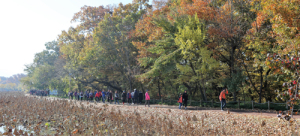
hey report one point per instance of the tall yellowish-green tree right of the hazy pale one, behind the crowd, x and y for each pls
(109, 59)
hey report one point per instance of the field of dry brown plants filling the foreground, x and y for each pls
(44, 116)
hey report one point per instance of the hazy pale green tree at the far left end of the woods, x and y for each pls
(46, 72)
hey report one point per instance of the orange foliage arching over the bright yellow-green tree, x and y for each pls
(221, 24)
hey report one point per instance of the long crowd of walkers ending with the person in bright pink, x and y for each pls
(133, 97)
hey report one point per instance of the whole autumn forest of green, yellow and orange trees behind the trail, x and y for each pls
(168, 46)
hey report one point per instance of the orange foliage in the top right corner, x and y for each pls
(284, 14)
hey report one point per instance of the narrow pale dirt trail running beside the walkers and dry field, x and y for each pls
(232, 111)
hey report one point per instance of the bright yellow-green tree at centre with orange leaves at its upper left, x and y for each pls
(169, 51)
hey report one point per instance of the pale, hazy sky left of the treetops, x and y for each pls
(26, 25)
